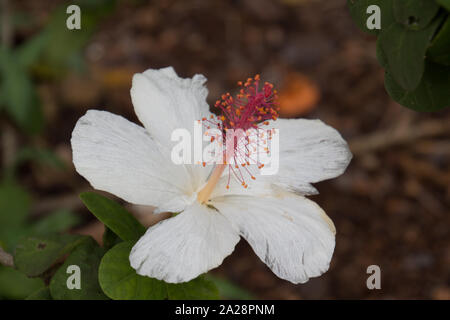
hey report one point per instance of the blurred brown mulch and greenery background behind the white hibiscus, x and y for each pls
(391, 207)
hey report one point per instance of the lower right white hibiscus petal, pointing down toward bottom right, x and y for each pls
(291, 234)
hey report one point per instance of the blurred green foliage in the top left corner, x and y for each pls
(48, 55)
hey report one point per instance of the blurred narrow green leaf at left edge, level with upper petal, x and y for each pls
(20, 98)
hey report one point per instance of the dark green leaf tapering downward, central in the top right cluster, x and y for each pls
(405, 52)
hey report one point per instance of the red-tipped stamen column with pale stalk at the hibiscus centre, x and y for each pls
(240, 125)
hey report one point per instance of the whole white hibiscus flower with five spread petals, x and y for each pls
(291, 234)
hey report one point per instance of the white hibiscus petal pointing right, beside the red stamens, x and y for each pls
(309, 152)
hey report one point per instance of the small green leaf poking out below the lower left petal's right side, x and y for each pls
(197, 289)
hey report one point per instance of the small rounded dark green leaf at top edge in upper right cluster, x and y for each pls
(415, 14)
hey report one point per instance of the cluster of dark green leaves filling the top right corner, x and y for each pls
(414, 48)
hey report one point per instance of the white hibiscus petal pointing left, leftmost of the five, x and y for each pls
(119, 157)
